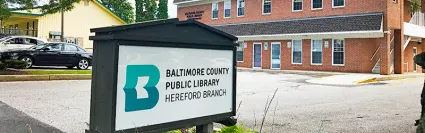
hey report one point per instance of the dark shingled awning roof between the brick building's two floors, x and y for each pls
(347, 23)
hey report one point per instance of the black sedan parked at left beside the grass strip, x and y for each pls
(51, 54)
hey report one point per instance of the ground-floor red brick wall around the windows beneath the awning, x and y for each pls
(358, 53)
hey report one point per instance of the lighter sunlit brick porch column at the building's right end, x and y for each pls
(385, 55)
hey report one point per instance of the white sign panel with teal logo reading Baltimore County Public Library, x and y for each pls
(155, 84)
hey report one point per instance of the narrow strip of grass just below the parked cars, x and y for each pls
(44, 72)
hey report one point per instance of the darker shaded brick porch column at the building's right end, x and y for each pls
(398, 51)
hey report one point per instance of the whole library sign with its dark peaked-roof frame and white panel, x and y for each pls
(162, 75)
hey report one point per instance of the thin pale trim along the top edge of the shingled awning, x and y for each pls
(299, 19)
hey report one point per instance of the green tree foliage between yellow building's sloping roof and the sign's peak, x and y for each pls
(122, 8)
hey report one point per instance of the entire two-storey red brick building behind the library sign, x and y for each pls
(367, 36)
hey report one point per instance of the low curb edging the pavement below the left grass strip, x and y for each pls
(9, 78)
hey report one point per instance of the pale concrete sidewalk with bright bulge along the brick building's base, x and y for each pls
(338, 78)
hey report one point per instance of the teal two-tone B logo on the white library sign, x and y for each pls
(132, 75)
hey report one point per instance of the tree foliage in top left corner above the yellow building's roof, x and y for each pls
(53, 6)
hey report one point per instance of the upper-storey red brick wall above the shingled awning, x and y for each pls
(282, 9)
